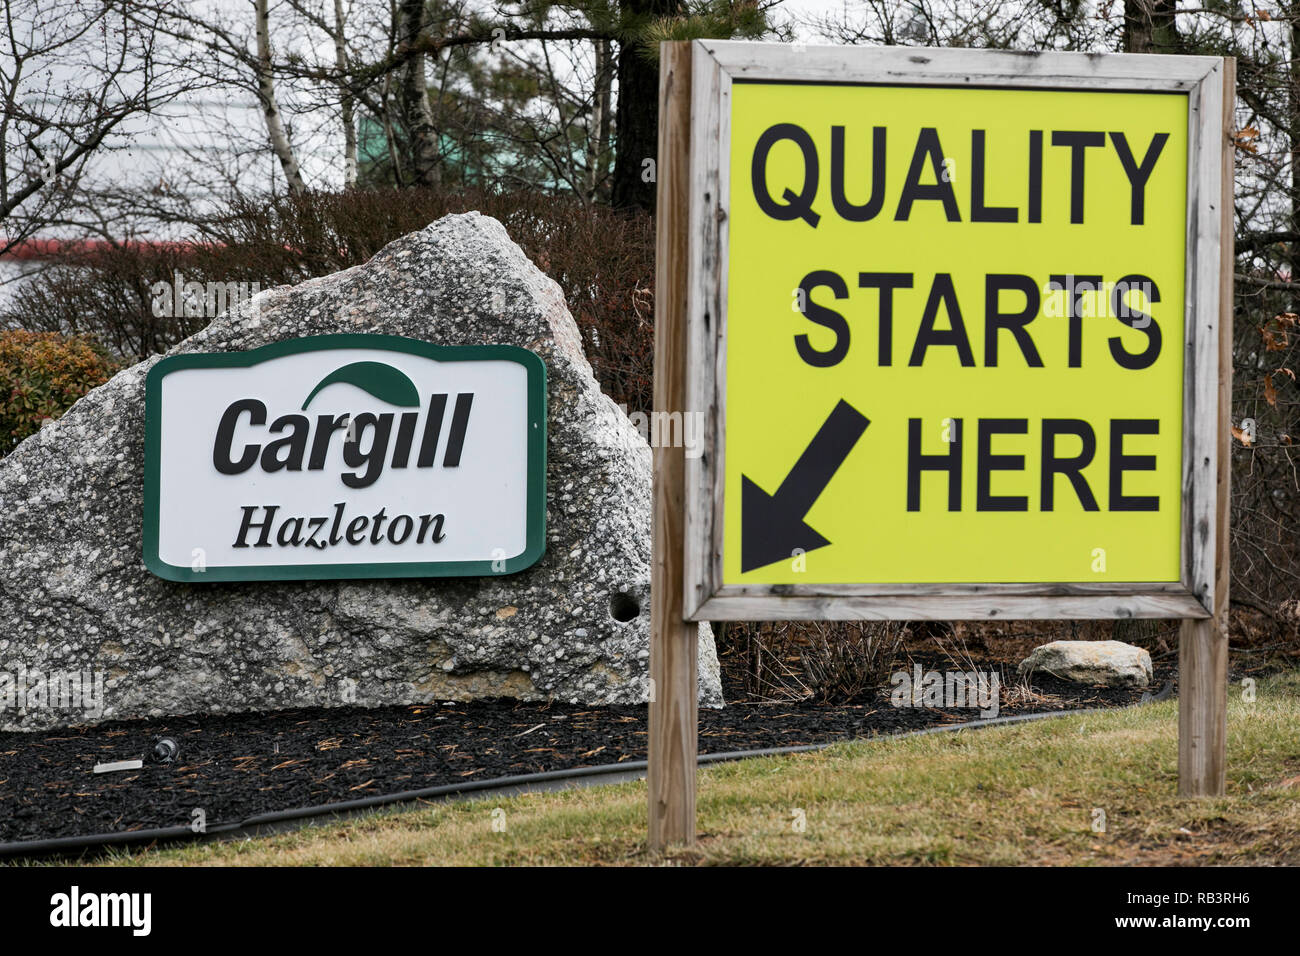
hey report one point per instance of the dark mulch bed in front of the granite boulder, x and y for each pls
(235, 767)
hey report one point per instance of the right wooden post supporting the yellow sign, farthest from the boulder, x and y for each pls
(1203, 644)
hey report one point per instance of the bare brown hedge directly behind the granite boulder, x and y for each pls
(603, 261)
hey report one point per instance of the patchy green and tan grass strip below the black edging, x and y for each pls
(1022, 794)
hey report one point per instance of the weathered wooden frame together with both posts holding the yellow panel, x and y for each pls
(691, 323)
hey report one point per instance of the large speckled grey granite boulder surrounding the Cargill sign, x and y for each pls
(80, 611)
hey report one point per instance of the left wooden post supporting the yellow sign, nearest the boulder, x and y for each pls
(674, 703)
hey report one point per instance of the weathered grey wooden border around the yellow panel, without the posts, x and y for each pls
(720, 64)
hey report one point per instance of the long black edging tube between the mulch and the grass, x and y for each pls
(501, 786)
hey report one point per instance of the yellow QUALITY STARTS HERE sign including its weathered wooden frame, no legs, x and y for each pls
(955, 331)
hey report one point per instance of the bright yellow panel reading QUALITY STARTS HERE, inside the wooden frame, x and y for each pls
(955, 343)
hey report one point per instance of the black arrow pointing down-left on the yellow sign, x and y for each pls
(772, 526)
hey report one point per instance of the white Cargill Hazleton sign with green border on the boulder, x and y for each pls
(345, 457)
